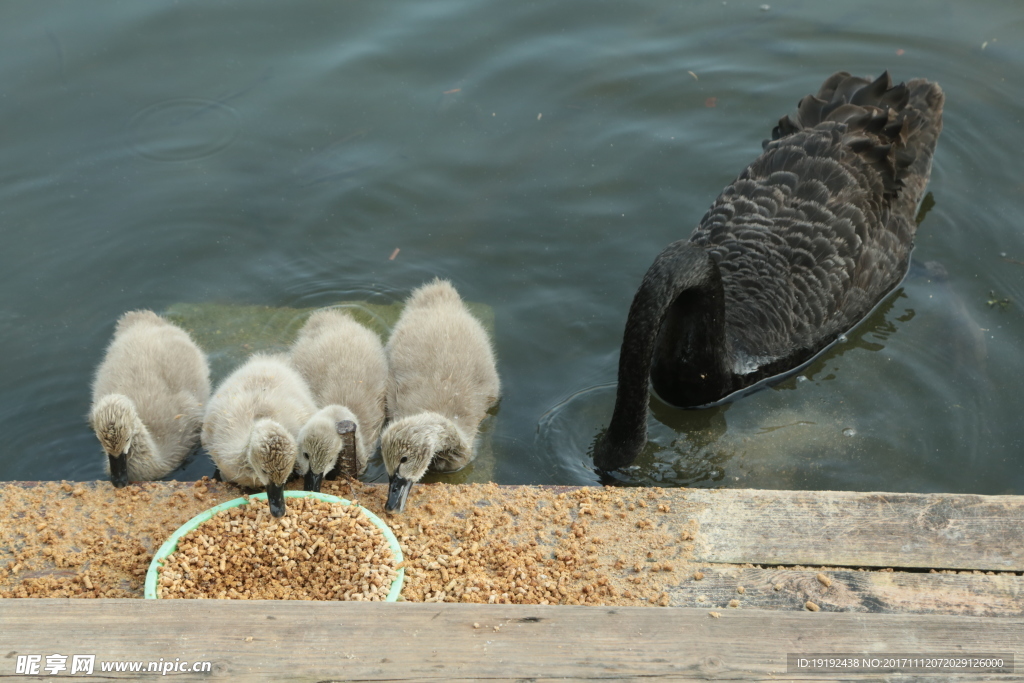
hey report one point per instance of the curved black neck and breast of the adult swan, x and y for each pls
(675, 336)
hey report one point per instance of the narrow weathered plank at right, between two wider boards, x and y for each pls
(844, 590)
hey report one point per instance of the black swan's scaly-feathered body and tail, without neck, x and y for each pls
(821, 227)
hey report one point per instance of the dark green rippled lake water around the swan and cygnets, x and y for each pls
(539, 155)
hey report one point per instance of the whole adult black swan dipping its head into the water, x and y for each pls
(797, 251)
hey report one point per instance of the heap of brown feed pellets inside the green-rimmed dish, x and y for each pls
(320, 551)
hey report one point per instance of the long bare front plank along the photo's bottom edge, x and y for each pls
(310, 642)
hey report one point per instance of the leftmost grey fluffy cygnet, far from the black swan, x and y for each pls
(148, 398)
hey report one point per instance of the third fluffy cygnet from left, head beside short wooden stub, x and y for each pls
(345, 365)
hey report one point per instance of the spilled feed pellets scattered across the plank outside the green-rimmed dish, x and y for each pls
(468, 543)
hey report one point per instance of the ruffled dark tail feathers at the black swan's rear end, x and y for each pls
(893, 129)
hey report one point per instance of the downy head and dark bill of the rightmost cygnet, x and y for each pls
(408, 448)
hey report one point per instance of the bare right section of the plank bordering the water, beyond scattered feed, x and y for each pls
(857, 530)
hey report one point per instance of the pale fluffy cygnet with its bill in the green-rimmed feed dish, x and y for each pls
(253, 422)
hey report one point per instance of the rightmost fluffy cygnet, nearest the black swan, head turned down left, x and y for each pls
(443, 380)
